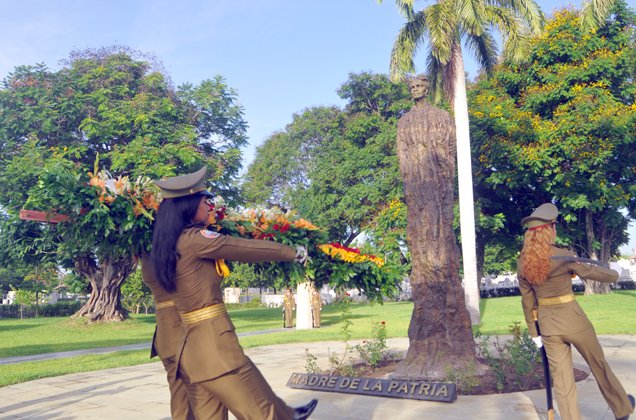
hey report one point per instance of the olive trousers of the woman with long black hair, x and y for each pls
(244, 392)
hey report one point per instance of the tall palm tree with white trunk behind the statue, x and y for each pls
(443, 26)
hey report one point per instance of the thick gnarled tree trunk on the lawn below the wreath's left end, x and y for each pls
(106, 278)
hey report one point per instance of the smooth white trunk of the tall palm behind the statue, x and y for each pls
(465, 187)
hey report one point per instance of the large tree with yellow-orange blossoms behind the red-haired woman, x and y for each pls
(562, 128)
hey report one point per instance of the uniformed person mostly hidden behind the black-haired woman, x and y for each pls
(164, 344)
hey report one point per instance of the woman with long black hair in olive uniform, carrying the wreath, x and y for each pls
(184, 255)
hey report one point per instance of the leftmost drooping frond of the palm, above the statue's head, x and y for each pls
(408, 40)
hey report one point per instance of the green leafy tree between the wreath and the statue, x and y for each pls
(336, 167)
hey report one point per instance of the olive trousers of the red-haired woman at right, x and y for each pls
(559, 351)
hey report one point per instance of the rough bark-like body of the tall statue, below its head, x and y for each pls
(440, 335)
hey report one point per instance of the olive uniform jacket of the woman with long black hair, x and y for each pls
(210, 348)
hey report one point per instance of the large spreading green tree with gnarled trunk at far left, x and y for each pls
(116, 107)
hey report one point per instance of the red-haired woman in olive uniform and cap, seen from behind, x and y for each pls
(545, 282)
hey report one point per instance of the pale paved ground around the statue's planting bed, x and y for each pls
(141, 392)
